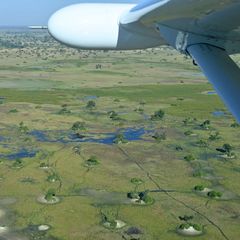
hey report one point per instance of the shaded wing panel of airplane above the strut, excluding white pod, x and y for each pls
(212, 18)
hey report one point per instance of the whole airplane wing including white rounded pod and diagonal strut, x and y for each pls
(207, 30)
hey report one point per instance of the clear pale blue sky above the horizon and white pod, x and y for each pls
(34, 12)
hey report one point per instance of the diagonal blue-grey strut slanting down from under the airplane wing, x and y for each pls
(221, 71)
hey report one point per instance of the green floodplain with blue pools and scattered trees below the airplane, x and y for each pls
(112, 145)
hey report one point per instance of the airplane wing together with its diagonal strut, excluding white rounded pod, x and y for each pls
(208, 30)
